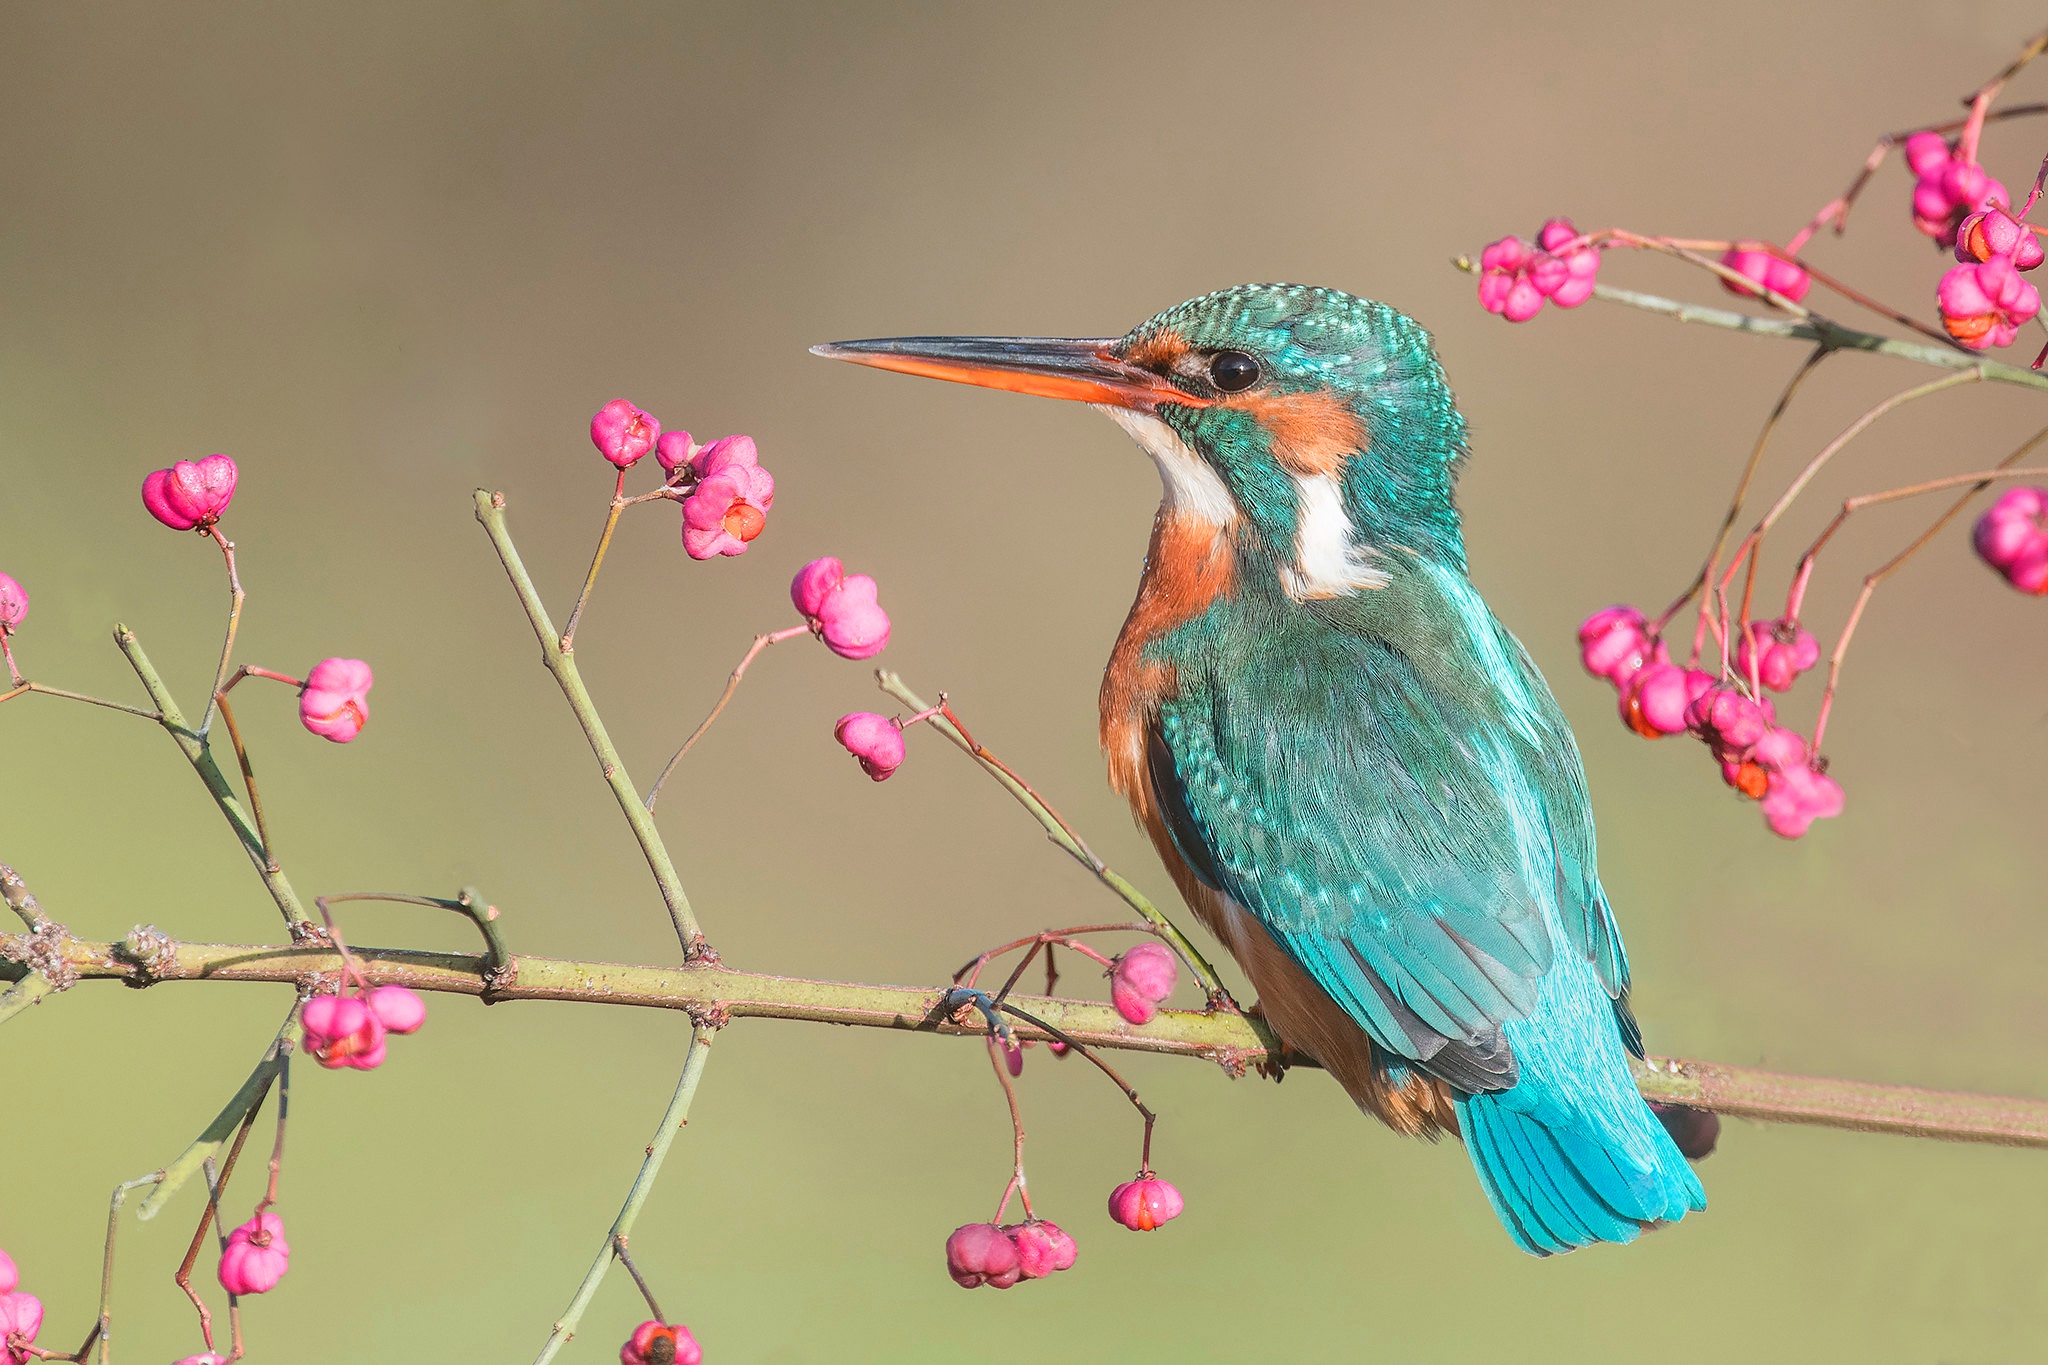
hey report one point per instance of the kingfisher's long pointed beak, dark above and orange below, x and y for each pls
(1050, 367)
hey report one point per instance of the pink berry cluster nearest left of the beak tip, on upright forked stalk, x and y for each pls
(724, 490)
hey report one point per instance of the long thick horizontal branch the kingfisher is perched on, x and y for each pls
(716, 994)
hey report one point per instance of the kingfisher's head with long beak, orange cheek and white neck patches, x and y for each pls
(1312, 425)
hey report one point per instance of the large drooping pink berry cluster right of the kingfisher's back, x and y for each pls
(1734, 719)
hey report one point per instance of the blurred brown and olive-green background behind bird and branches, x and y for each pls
(386, 255)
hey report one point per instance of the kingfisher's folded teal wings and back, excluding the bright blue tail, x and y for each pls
(1398, 822)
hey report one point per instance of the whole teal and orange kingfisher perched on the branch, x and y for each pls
(1355, 775)
